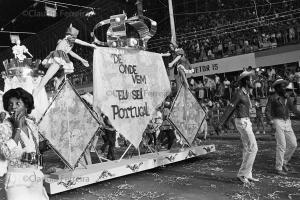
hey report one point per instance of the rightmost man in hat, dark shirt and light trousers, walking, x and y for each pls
(278, 111)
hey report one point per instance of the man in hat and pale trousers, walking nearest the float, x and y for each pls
(241, 104)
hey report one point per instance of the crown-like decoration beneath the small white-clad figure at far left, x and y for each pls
(14, 67)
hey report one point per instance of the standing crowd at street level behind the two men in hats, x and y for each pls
(214, 93)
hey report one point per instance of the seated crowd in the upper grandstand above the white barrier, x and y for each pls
(236, 28)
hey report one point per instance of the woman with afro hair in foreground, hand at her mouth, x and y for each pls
(19, 148)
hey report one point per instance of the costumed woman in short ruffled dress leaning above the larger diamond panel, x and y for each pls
(59, 59)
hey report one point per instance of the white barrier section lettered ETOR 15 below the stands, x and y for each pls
(229, 64)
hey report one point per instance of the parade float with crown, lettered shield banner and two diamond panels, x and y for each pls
(129, 84)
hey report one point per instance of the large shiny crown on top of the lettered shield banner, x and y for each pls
(118, 32)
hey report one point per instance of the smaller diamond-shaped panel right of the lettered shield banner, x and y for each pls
(186, 114)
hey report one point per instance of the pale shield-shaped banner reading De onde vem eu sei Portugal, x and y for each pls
(128, 85)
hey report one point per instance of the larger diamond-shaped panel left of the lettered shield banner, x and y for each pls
(68, 125)
